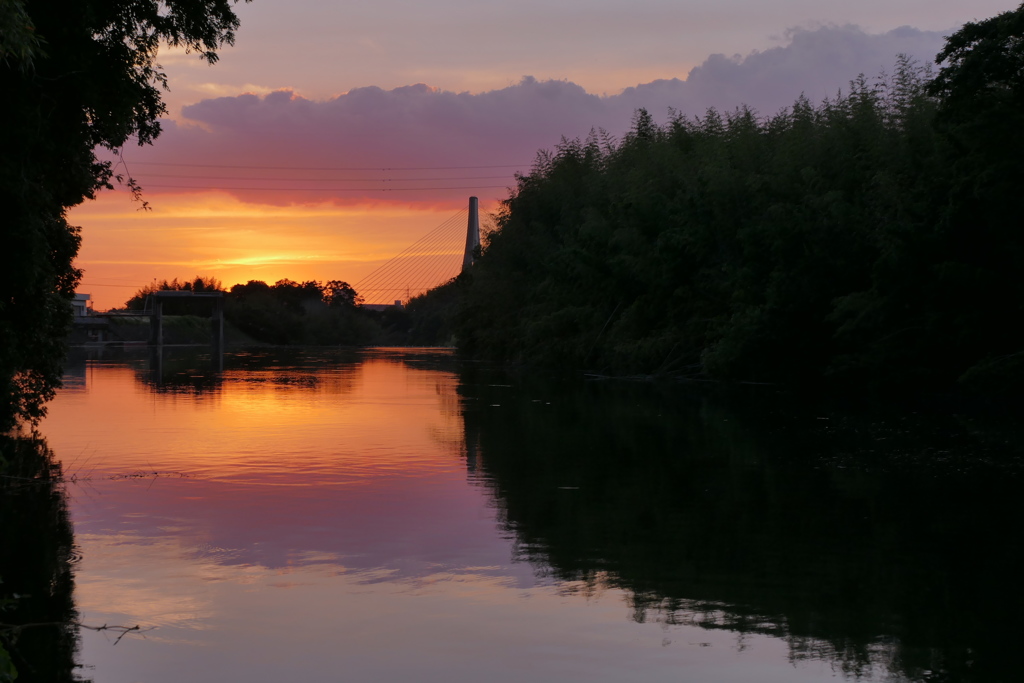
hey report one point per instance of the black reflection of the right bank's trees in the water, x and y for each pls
(848, 548)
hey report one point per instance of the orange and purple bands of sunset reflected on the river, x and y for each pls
(355, 455)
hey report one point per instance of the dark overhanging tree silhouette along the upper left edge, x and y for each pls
(76, 76)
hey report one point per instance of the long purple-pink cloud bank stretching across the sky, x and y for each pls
(405, 144)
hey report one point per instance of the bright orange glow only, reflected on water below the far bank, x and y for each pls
(276, 425)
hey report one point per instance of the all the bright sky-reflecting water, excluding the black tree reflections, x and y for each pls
(327, 525)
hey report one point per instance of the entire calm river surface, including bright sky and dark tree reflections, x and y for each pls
(394, 516)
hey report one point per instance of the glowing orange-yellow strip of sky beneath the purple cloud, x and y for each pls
(221, 236)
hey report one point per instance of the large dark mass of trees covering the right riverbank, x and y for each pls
(873, 239)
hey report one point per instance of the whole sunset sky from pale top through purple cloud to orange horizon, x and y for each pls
(333, 136)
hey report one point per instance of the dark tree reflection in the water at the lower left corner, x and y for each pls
(36, 556)
